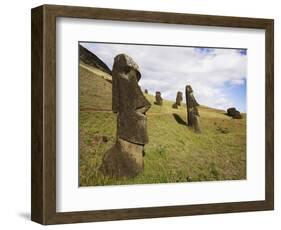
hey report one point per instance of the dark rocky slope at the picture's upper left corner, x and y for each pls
(89, 58)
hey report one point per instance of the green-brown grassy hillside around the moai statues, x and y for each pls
(174, 153)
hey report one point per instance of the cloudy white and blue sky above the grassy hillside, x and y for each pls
(218, 76)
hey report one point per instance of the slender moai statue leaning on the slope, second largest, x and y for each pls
(192, 110)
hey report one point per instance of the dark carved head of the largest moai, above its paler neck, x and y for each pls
(128, 101)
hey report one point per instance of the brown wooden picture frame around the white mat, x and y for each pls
(43, 207)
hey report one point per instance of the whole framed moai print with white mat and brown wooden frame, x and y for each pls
(140, 114)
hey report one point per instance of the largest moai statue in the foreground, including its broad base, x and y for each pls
(125, 158)
